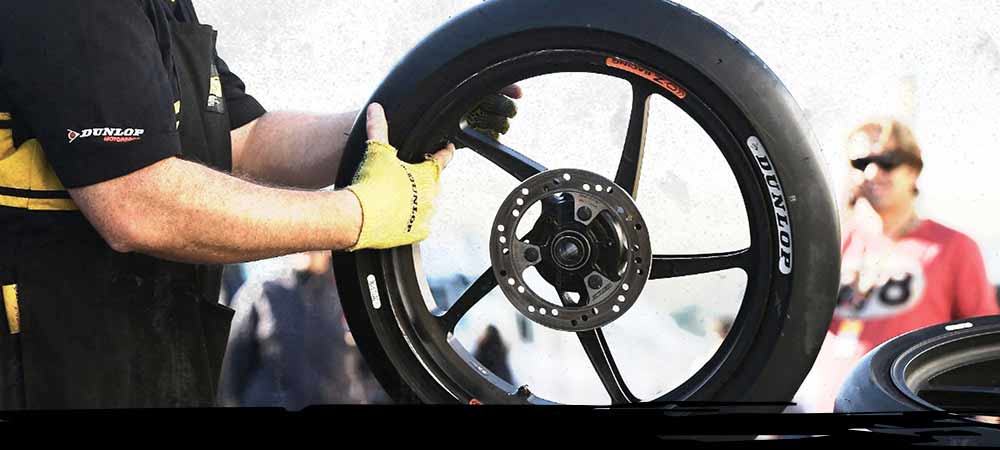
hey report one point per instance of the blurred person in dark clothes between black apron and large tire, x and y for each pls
(290, 346)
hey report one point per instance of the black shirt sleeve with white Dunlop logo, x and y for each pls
(90, 80)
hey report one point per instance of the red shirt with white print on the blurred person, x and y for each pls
(933, 274)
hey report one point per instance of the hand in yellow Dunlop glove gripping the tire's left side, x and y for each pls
(396, 197)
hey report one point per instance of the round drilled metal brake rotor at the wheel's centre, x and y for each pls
(590, 243)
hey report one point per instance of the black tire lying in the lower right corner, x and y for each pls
(953, 367)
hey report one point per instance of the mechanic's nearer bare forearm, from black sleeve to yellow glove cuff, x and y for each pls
(182, 211)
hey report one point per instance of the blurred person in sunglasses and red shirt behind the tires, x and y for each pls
(899, 271)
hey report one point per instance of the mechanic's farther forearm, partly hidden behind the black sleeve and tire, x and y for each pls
(292, 148)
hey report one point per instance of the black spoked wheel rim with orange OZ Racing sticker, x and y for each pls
(463, 379)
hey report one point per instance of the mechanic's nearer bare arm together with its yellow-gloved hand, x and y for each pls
(182, 211)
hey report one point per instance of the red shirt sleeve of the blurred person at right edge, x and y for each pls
(974, 296)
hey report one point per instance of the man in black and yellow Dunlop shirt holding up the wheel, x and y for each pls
(120, 133)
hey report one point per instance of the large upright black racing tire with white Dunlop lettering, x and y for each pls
(775, 346)
